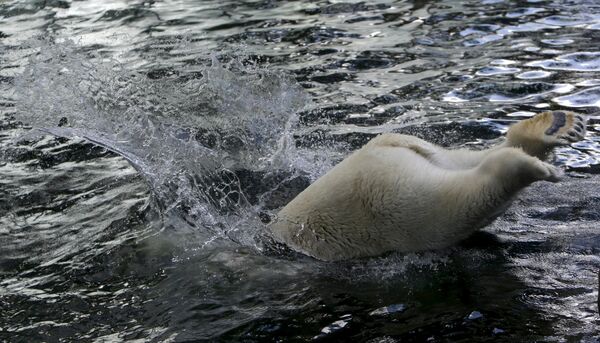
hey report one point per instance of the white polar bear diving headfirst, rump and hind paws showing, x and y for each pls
(401, 193)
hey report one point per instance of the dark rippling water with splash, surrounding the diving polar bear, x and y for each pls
(164, 133)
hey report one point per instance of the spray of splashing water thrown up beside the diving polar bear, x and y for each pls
(188, 135)
